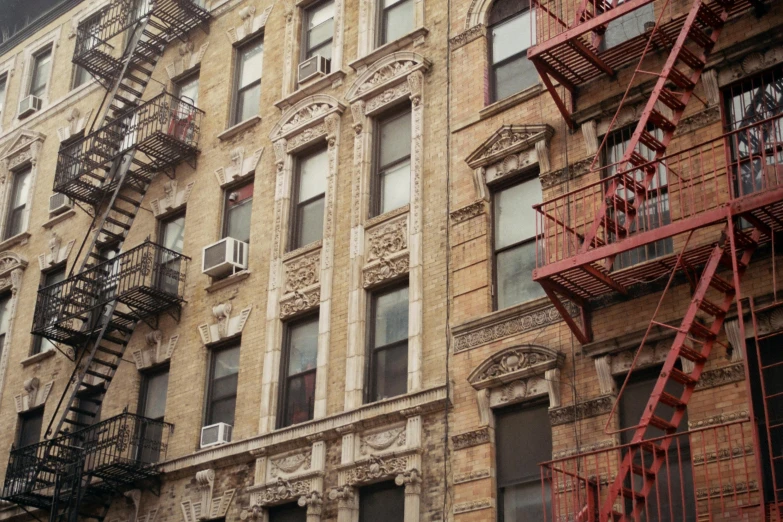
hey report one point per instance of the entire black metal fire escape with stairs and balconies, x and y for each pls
(82, 464)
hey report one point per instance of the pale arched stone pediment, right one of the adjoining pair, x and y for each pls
(387, 72)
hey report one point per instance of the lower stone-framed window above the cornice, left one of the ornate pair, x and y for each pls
(300, 354)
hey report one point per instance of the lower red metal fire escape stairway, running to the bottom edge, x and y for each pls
(636, 477)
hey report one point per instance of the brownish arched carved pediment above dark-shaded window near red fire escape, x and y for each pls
(514, 363)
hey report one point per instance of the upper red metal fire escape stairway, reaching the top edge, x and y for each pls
(627, 191)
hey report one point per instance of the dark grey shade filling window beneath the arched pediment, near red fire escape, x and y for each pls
(519, 448)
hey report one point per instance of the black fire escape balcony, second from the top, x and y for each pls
(165, 128)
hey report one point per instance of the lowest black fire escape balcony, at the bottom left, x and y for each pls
(119, 450)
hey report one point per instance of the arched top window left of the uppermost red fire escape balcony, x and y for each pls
(512, 31)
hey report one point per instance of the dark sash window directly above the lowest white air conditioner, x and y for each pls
(223, 377)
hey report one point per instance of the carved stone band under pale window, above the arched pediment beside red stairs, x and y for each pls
(468, 338)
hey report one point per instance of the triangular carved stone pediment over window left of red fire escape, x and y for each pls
(506, 141)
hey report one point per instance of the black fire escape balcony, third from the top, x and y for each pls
(148, 279)
